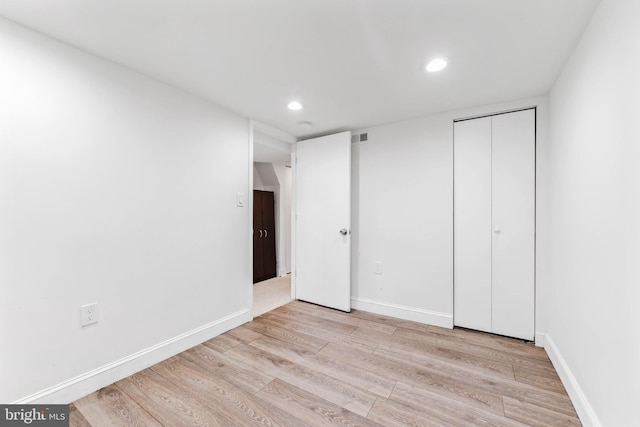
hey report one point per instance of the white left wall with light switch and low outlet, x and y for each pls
(114, 189)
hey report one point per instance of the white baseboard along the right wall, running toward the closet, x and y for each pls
(584, 409)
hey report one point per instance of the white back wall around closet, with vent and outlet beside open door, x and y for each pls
(402, 204)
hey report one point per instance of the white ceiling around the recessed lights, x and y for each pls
(352, 63)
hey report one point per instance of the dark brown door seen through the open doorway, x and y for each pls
(264, 236)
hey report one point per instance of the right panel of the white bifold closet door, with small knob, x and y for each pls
(513, 200)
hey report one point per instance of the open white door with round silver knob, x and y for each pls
(323, 221)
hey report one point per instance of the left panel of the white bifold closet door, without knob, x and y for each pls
(472, 224)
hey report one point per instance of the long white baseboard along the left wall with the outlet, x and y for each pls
(75, 388)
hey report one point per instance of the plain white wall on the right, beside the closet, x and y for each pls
(594, 309)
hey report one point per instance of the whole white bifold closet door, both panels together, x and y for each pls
(494, 224)
